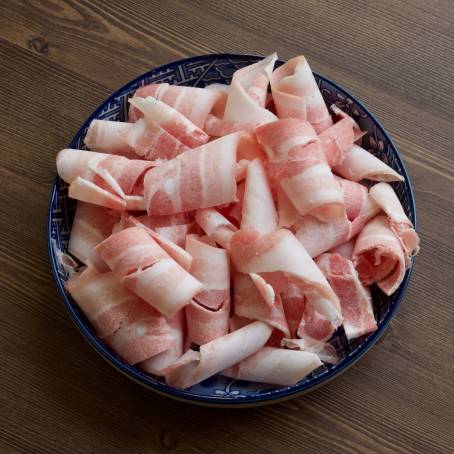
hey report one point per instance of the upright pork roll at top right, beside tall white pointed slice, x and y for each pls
(296, 94)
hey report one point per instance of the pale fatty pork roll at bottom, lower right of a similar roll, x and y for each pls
(276, 366)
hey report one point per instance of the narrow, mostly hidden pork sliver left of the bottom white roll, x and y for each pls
(156, 364)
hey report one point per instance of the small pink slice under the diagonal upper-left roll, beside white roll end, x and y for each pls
(151, 142)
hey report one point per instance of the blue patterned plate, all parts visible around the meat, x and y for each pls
(218, 390)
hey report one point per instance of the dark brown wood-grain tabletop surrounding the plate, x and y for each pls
(59, 60)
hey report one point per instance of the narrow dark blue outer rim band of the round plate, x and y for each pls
(273, 395)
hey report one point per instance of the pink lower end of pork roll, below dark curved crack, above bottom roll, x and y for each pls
(205, 325)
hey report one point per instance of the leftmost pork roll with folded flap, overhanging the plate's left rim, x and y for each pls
(101, 179)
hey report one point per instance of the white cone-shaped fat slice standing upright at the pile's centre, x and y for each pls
(259, 212)
